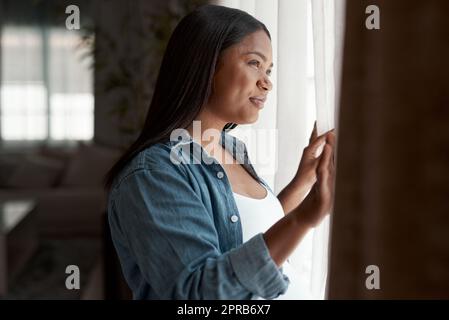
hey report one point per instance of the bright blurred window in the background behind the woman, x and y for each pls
(46, 86)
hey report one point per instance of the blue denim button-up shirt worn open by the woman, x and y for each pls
(176, 228)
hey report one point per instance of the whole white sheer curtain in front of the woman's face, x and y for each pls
(306, 38)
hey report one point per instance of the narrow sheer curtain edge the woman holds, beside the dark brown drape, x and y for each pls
(328, 24)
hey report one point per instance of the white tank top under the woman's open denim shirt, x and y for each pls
(258, 215)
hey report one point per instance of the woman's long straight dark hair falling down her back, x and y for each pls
(185, 77)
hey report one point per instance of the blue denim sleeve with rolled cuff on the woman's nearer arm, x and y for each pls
(166, 228)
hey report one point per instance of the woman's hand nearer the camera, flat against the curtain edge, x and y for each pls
(319, 201)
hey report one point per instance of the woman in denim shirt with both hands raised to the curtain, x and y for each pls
(179, 203)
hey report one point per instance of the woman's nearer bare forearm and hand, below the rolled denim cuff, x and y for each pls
(284, 236)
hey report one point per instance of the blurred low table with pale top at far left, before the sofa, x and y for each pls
(18, 238)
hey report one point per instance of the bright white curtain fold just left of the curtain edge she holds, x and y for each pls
(295, 112)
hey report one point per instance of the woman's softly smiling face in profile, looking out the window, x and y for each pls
(241, 81)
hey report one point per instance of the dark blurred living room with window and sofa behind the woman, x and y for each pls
(71, 100)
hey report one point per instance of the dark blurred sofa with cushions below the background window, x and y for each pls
(66, 184)
